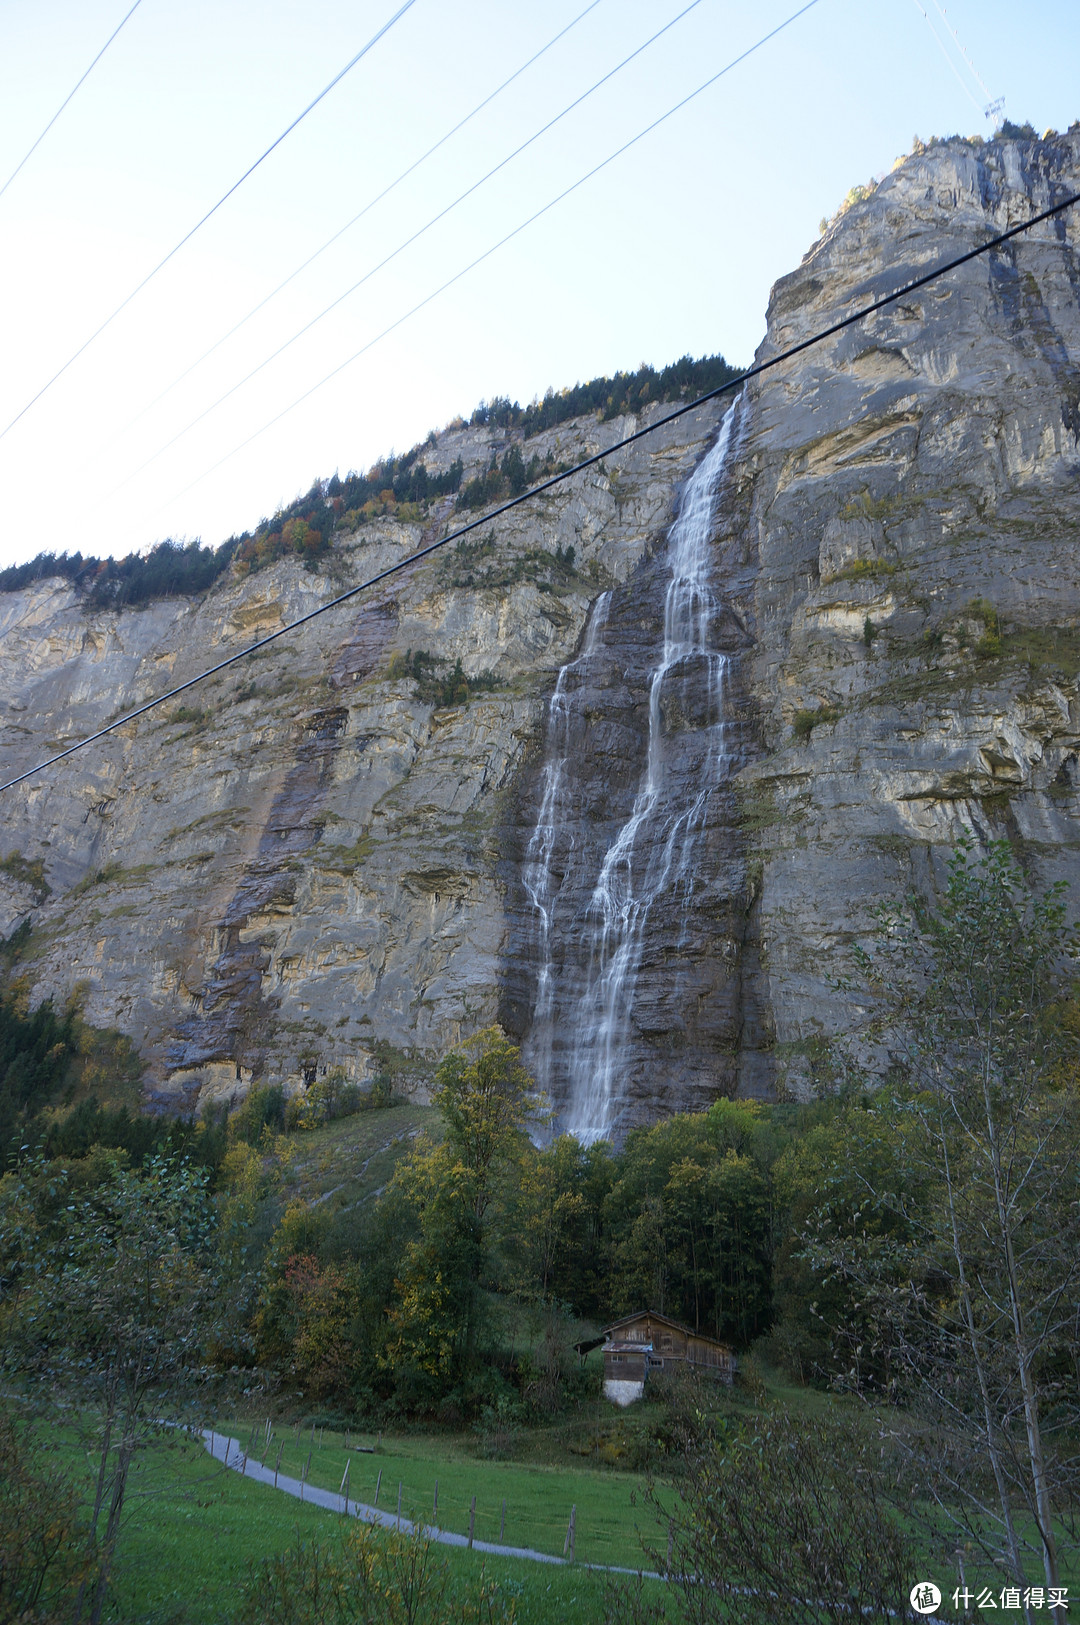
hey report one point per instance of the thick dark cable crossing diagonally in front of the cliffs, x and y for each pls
(556, 480)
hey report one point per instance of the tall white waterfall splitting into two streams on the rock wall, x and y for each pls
(589, 960)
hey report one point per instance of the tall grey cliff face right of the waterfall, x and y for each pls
(909, 526)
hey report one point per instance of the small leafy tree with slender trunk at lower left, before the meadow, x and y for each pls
(108, 1296)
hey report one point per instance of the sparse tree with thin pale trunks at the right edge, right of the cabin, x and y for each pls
(966, 1265)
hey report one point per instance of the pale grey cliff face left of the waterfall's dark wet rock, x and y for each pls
(303, 857)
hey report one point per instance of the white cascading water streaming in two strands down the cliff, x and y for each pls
(652, 854)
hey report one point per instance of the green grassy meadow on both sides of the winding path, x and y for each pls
(197, 1530)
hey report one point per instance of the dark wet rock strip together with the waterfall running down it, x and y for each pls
(628, 885)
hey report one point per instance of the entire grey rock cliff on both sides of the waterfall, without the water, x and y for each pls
(308, 857)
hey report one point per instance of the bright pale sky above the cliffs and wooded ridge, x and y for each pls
(670, 249)
